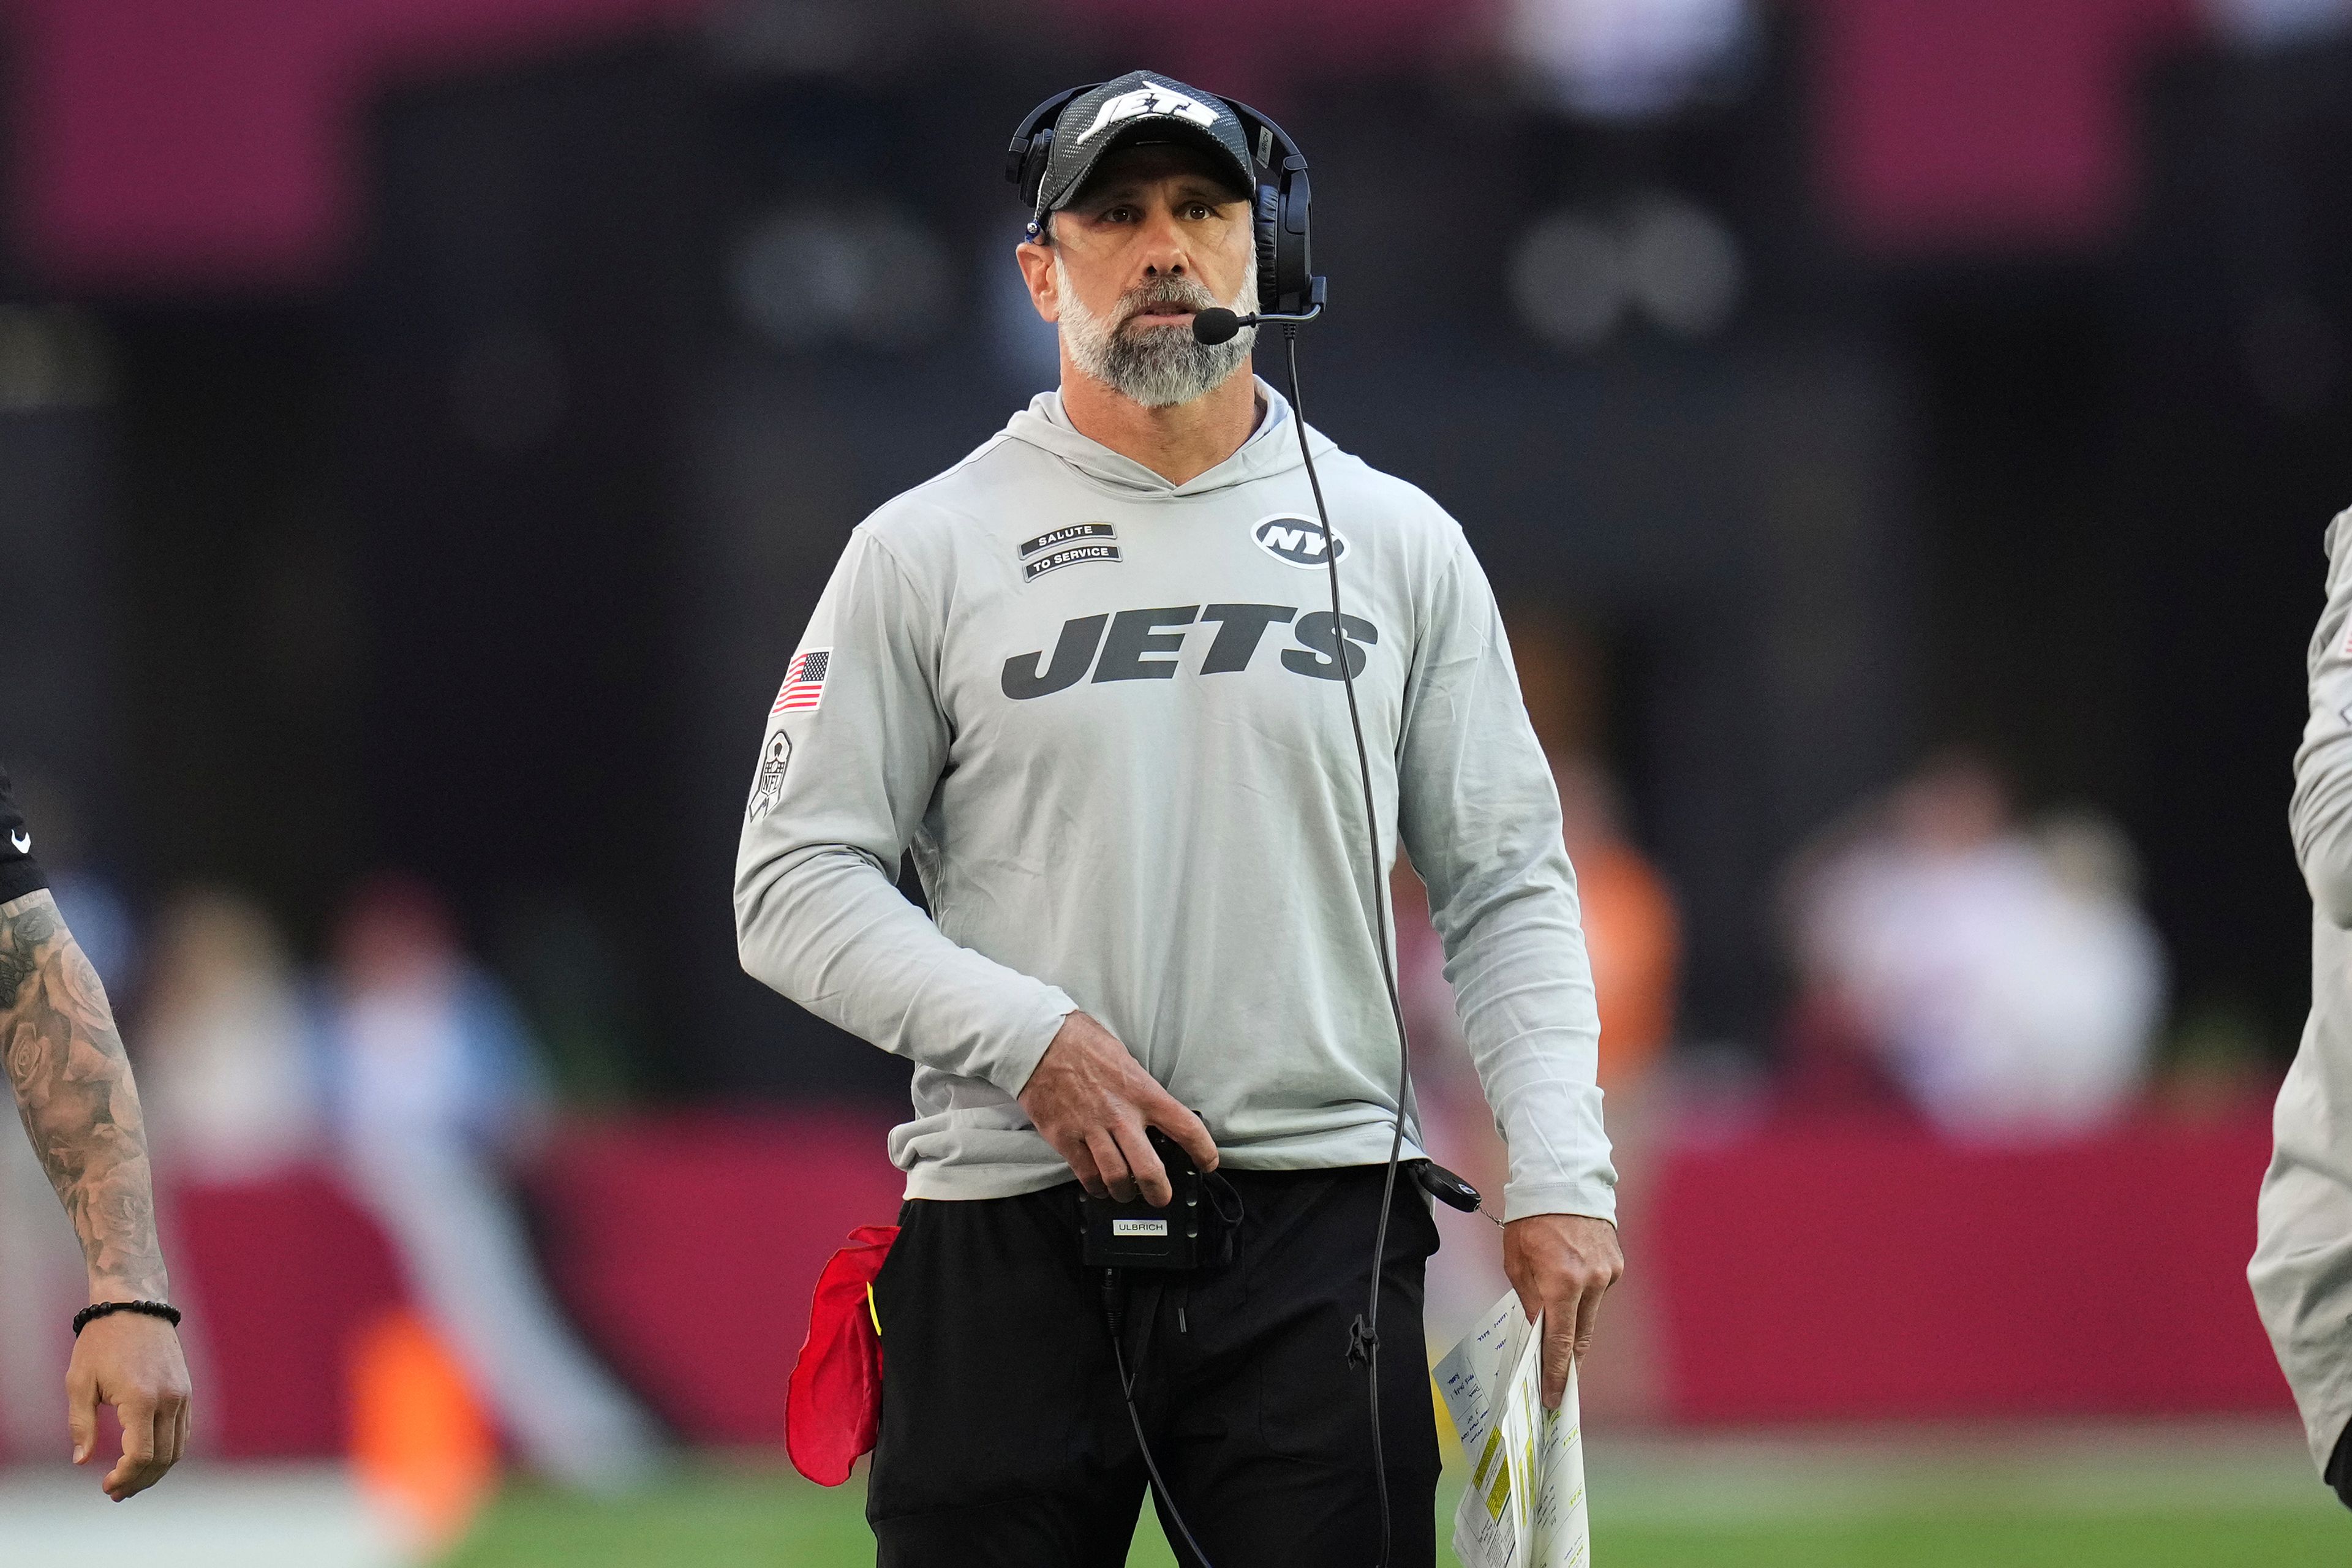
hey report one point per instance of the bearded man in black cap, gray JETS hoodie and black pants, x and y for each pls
(1083, 676)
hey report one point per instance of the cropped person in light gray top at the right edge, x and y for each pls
(2304, 1257)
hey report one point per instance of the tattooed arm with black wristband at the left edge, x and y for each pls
(76, 1099)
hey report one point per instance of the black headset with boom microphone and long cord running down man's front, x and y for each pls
(1290, 293)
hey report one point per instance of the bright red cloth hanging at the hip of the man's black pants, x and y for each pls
(834, 1409)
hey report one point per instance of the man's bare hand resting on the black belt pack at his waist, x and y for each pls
(1093, 1104)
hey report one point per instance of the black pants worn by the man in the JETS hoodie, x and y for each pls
(1005, 1440)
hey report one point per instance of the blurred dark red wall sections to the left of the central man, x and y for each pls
(686, 1247)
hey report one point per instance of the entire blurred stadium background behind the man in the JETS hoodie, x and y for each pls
(1902, 436)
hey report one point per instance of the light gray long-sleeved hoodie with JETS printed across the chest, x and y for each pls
(1107, 716)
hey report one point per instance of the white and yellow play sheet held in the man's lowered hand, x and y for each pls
(1525, 1506)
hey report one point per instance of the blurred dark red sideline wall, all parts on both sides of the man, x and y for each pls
(1800, 1271)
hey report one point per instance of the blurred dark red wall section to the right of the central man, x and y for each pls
(1859, 1271)
